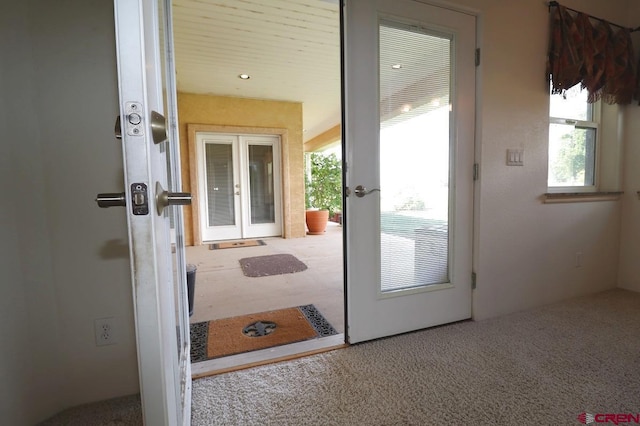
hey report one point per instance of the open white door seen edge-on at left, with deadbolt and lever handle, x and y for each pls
(159, 288)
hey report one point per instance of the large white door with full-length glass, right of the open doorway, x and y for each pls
(409, 165)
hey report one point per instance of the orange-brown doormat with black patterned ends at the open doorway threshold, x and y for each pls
(231, 336)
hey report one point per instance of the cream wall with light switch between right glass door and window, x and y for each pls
(526, 250)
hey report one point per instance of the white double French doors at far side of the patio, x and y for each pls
(239, 180)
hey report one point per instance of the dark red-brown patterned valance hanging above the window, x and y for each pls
(598, 57)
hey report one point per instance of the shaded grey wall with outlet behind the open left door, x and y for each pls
(64, 261)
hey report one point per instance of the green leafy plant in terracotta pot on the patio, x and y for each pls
(323, 190)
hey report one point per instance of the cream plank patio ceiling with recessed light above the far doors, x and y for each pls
(290, 48)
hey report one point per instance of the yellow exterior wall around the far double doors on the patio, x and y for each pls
(249, 113)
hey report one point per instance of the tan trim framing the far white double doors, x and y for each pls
(192, 129)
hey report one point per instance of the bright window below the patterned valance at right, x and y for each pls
(573, 141)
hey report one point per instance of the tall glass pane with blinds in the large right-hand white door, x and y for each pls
(414, 156)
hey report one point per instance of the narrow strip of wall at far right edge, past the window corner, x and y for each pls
(629, 275)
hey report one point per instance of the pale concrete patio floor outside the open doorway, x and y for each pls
(222, 290)
